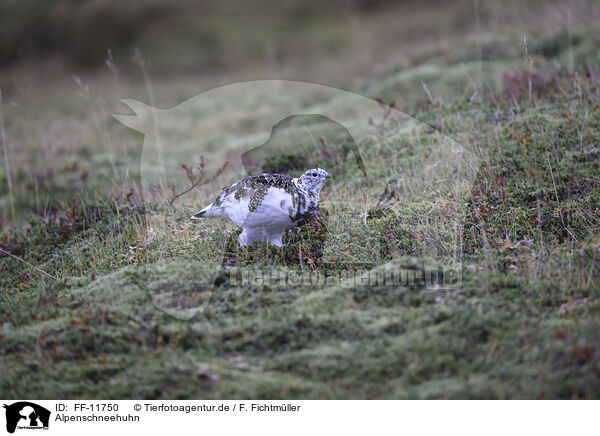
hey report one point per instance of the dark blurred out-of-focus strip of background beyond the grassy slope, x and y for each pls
(310, 40)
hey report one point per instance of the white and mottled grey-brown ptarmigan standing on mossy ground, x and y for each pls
(266, 205)
